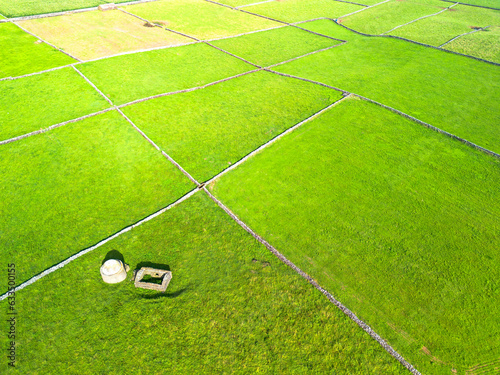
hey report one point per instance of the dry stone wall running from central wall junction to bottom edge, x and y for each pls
(365, 327)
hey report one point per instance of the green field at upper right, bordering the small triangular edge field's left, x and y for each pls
(439, 29)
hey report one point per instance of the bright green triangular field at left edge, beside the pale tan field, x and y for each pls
(21, 53)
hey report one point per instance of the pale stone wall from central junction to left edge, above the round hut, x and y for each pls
(60, 265)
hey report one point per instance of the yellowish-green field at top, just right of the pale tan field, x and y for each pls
(200, 18)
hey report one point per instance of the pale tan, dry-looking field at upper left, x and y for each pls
(97, 34)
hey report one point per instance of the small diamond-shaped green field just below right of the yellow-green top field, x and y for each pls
(274, 46)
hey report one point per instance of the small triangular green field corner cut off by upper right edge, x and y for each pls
(484, 44)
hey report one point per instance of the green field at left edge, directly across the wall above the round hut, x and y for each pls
(67, 189)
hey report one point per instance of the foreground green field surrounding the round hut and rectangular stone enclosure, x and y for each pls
(231, 307)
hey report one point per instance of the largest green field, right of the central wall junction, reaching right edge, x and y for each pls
(398, 222)
